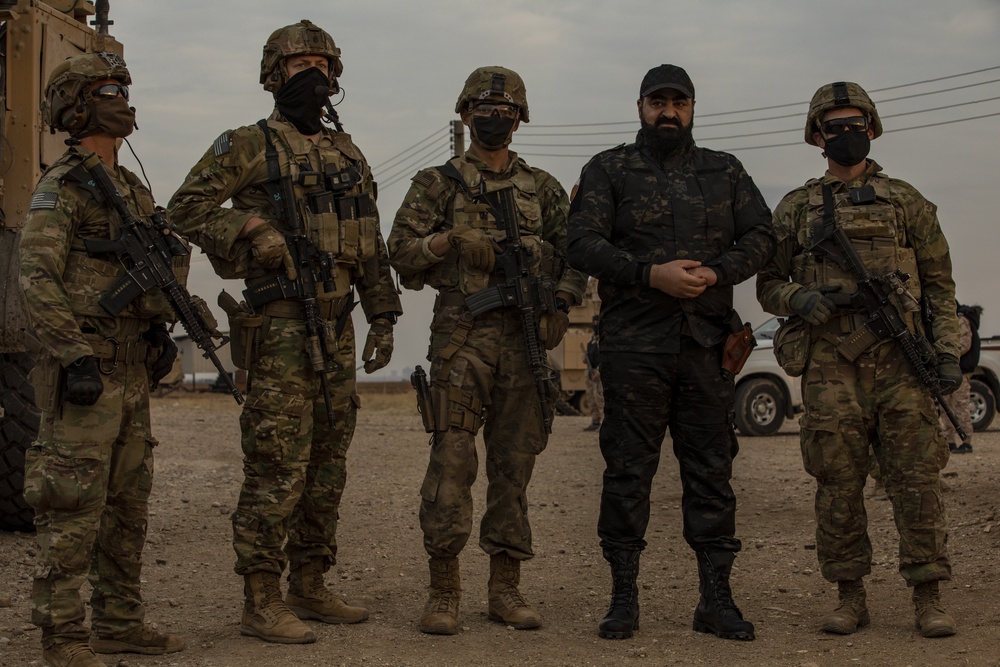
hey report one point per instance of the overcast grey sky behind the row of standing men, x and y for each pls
(195, 67)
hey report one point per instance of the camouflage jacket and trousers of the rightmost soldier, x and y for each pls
(875, 401)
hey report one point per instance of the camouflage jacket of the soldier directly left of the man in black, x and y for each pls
(435, 203)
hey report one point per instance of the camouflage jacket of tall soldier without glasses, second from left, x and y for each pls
(235, 168)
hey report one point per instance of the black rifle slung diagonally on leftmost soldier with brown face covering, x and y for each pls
(147, 249)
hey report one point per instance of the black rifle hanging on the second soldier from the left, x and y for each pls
(312, 267)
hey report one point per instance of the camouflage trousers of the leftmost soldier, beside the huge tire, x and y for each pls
(88, 476)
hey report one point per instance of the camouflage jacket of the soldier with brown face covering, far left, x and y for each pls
(61, 282)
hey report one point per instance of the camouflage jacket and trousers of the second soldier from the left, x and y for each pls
(294, 460)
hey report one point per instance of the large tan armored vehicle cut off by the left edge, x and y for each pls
(34, 37)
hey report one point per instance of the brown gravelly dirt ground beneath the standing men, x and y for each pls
(191, 590)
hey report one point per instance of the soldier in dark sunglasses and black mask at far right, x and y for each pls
(859, 391)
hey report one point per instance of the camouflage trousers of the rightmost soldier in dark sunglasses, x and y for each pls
(874, 402)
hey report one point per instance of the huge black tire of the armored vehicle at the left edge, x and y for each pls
(17, 431)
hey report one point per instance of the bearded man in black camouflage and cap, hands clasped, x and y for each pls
(668, 228)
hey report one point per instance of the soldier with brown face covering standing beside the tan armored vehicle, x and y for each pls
(89, 474)
